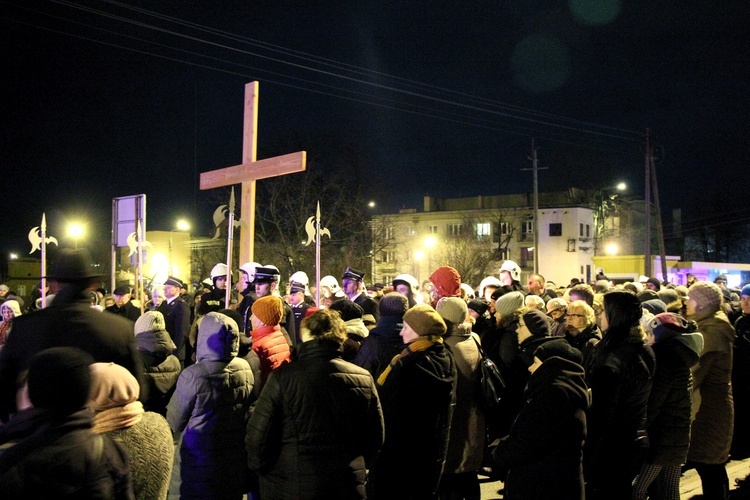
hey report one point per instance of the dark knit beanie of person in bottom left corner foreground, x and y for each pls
(59, 379)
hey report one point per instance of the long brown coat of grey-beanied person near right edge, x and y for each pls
(711, 433)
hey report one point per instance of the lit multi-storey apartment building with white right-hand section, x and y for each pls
(475, 235)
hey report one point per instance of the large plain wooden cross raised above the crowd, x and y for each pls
(251, 170)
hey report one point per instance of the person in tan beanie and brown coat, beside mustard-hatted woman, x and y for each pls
(467, 433)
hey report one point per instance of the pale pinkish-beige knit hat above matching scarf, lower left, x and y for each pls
(112, 385)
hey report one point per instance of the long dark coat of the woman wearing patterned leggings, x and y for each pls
(669, 405)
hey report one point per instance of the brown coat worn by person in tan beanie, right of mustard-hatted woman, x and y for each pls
(466, 445)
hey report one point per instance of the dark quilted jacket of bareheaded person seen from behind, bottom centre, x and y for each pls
(317, 422)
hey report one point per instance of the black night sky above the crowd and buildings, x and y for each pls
(103, 99)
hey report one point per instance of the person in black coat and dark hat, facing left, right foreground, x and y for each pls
(533, 460)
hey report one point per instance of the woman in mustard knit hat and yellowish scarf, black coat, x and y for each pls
(419, 385)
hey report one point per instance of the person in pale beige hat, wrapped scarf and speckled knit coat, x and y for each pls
(145, 435)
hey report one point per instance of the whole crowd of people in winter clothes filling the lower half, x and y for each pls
(610, 391)
